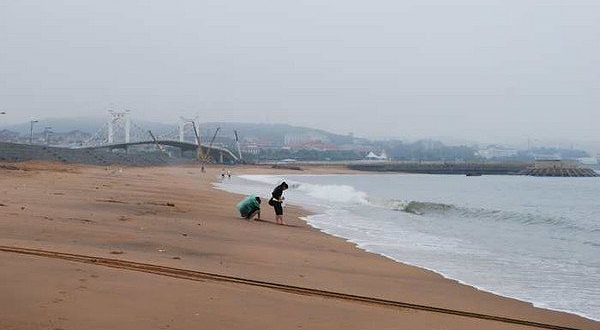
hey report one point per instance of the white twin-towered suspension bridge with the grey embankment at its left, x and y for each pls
(123, 141)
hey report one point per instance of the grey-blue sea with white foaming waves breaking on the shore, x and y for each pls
(536, 239)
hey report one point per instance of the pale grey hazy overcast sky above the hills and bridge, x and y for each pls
(481, 70)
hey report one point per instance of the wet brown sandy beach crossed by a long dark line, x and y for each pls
(173, 217)
